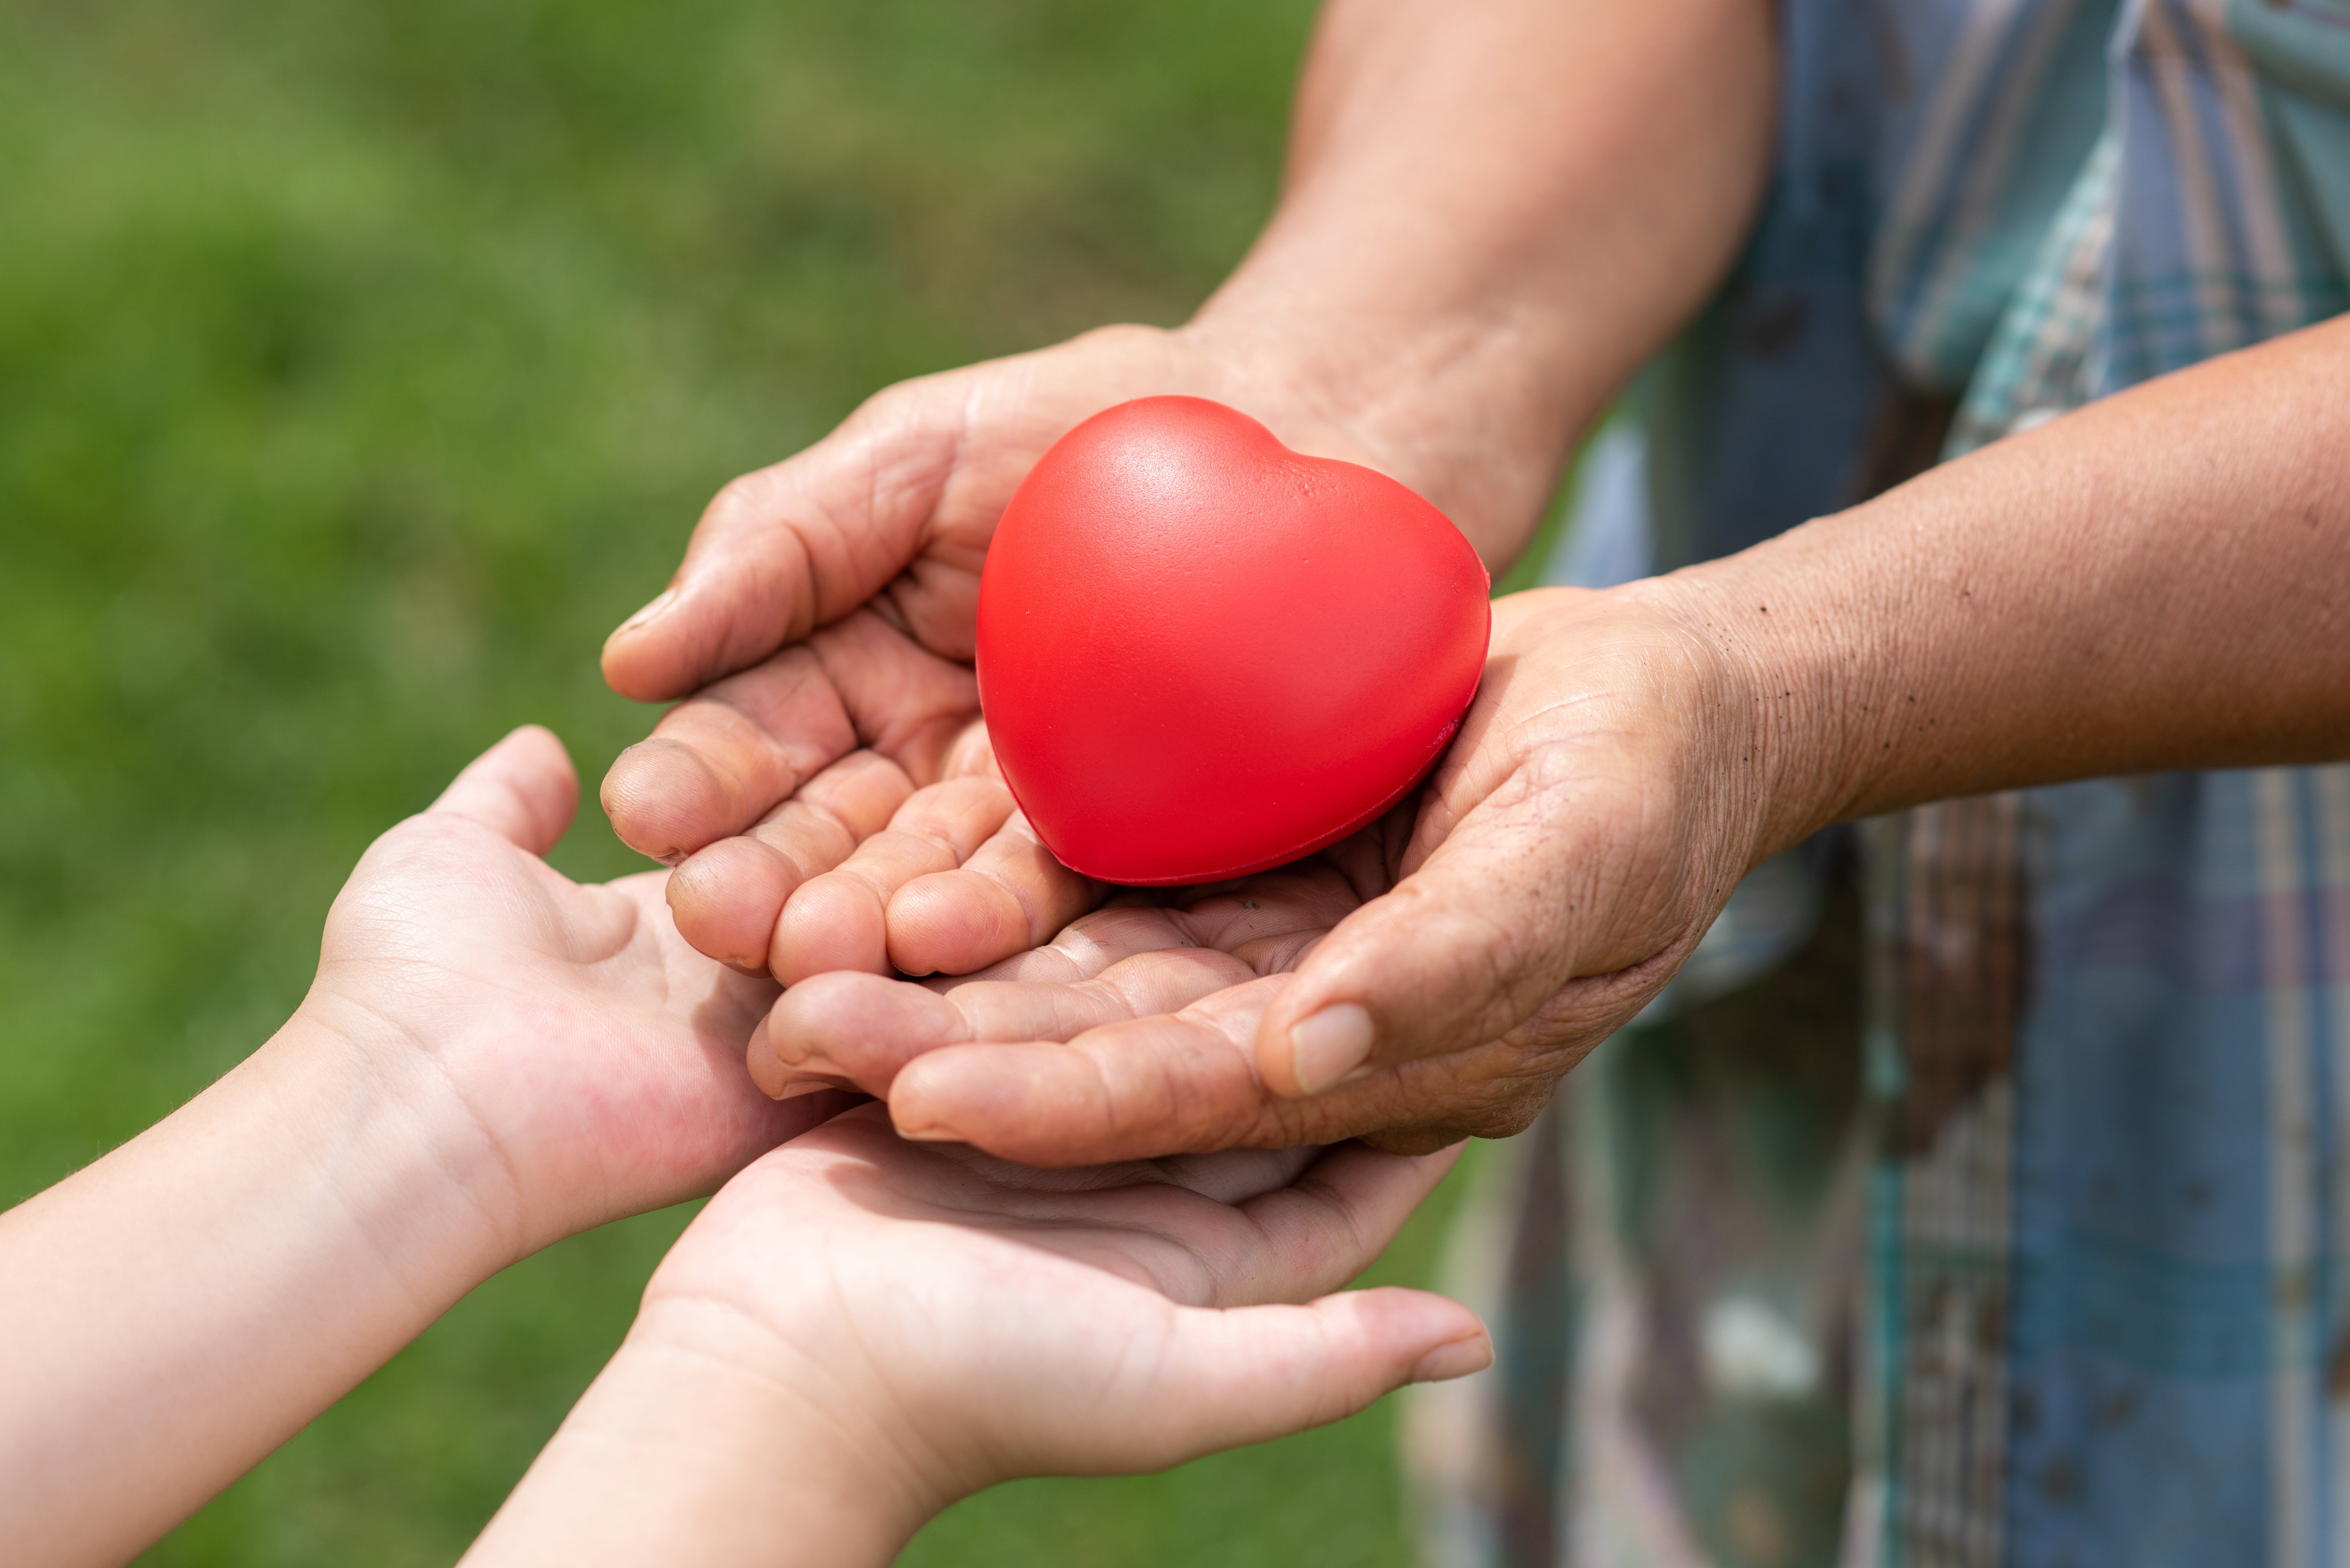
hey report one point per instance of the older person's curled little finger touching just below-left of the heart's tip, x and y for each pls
(1007, 897)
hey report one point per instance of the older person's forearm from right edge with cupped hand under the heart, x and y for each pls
(2109, 594)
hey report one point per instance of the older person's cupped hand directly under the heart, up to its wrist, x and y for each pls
(1421, 984)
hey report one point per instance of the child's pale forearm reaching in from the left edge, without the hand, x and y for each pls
(184, 1306)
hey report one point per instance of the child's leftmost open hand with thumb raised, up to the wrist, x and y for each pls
(570, 1052)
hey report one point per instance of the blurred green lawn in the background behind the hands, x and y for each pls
(361, 366)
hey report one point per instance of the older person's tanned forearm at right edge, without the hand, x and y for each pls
(2156, 582)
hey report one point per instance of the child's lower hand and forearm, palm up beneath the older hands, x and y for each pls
(859, 1329)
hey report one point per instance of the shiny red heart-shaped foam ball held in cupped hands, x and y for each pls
(1204, 655)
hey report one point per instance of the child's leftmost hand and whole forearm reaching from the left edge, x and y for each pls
(492, 1057)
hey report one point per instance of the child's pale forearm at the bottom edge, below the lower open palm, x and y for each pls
(697, 1449)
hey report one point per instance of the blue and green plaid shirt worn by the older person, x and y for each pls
(2064, 1278)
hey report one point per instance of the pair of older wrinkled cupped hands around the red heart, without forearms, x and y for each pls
(838, 824)
